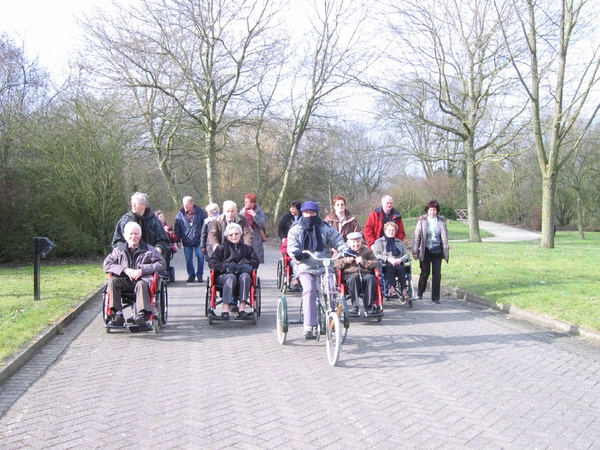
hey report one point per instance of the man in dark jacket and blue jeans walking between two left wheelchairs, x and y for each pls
(188, 228)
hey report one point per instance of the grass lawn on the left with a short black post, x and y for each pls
(61, 289)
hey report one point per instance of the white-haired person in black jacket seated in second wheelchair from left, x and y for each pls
(233, 261)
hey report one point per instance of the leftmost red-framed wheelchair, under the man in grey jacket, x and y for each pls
(159, 300)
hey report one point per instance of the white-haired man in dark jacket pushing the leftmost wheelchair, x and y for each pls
(153, 232)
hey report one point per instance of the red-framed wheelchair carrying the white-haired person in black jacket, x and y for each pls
(214, 294)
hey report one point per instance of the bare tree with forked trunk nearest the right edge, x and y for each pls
(557, 87)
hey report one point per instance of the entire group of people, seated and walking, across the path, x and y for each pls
(143, 244)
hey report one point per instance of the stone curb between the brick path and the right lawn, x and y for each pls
(518, 313)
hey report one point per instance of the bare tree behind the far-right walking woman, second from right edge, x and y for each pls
(452, 57)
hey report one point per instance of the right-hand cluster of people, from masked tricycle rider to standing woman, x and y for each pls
(361, 250)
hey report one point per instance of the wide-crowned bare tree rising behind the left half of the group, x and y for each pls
(205, 56)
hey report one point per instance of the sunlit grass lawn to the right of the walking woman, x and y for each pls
(563, 282)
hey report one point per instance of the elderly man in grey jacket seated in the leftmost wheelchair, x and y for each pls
(132, 265)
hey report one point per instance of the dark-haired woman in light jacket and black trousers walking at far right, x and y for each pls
(430, 246)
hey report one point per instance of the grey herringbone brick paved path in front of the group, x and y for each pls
(437, 376)
